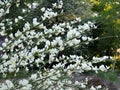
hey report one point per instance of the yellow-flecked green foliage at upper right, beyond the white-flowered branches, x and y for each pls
(108, 29)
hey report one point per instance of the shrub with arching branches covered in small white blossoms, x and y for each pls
(29, 42)
